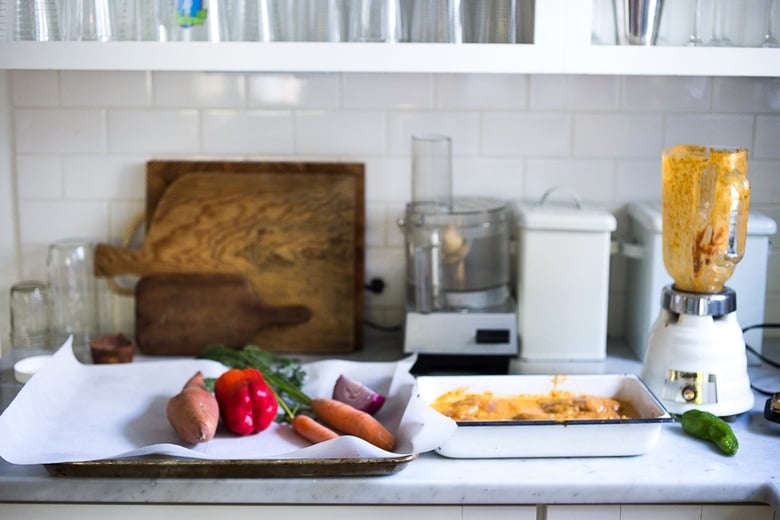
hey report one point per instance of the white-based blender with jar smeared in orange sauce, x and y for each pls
(696, 352)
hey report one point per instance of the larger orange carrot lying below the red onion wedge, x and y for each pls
(352, 421)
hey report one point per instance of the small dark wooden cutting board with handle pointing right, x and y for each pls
(181, 313)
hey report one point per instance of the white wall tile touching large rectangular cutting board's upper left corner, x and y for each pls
(103, 177)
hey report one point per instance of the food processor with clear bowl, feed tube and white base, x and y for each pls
(460, 315)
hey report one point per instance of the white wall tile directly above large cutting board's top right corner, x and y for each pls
(344, 132)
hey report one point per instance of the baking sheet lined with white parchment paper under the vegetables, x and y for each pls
(106, 420)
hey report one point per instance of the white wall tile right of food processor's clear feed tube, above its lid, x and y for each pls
(488, 177)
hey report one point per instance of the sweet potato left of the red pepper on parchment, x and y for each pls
(194, 413)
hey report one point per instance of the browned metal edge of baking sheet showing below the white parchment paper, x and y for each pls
(157, 467)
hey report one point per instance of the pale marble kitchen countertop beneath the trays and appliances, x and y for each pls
(679, 469)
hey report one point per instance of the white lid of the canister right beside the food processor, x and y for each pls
(564, 217)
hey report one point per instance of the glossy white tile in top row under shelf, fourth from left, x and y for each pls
(294, 91)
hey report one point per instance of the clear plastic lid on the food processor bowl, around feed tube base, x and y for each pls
(463, 212)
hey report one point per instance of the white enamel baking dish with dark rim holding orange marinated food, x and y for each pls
(534, 438)
